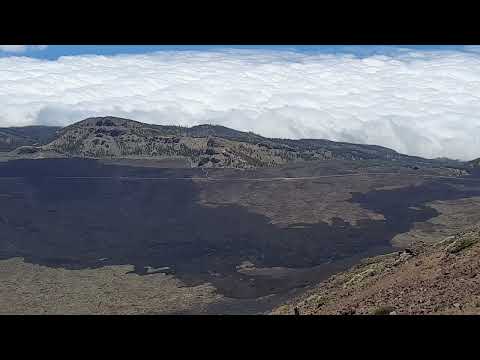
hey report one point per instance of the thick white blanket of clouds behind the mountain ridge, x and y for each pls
(418, 103)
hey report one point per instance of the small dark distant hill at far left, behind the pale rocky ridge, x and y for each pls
(12, 138)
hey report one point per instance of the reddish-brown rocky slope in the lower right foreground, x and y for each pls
(439, 278)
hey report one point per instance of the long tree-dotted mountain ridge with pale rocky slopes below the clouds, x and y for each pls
(202, 145)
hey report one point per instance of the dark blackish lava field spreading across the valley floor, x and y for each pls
(84, 214)
